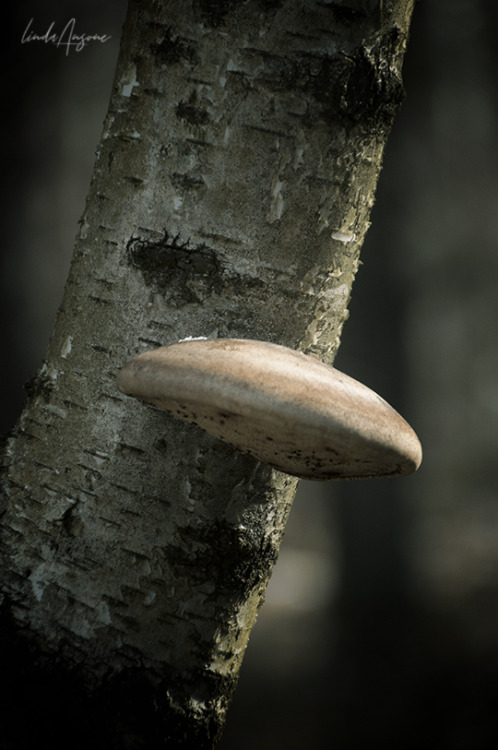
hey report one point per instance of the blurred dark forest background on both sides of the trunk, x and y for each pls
(381, 619)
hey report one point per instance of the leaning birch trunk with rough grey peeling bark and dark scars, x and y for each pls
(230, 197)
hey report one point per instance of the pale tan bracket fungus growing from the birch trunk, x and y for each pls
(285, 408)
